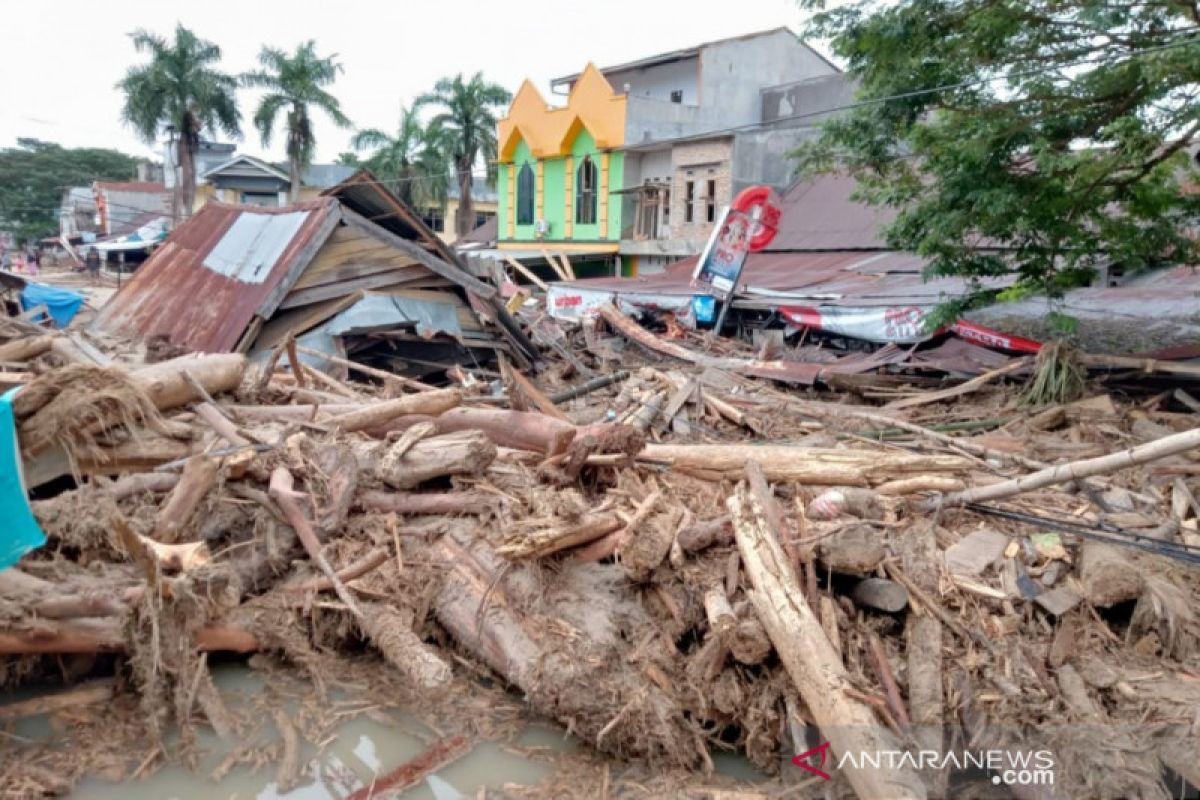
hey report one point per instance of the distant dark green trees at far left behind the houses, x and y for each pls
(35, 175)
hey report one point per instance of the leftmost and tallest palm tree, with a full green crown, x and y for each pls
(182, 93)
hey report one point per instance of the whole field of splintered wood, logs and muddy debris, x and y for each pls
(669, 560)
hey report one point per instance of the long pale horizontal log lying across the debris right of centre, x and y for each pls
(813, 466)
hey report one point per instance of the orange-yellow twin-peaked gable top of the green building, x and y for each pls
(549, 133)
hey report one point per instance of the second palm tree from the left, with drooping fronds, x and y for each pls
(296, 83)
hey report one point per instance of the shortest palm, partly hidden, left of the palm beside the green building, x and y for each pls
(413, 163)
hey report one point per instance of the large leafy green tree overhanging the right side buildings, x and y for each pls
(1021, 139)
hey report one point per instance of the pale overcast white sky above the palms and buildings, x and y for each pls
(64, 59)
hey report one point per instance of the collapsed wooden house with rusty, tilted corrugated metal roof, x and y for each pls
(351, 274)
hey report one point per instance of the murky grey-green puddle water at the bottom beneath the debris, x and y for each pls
(362, 751)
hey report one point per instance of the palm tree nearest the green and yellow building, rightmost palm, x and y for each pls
(467, 122)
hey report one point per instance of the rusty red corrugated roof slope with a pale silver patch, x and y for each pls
(205, 286)
